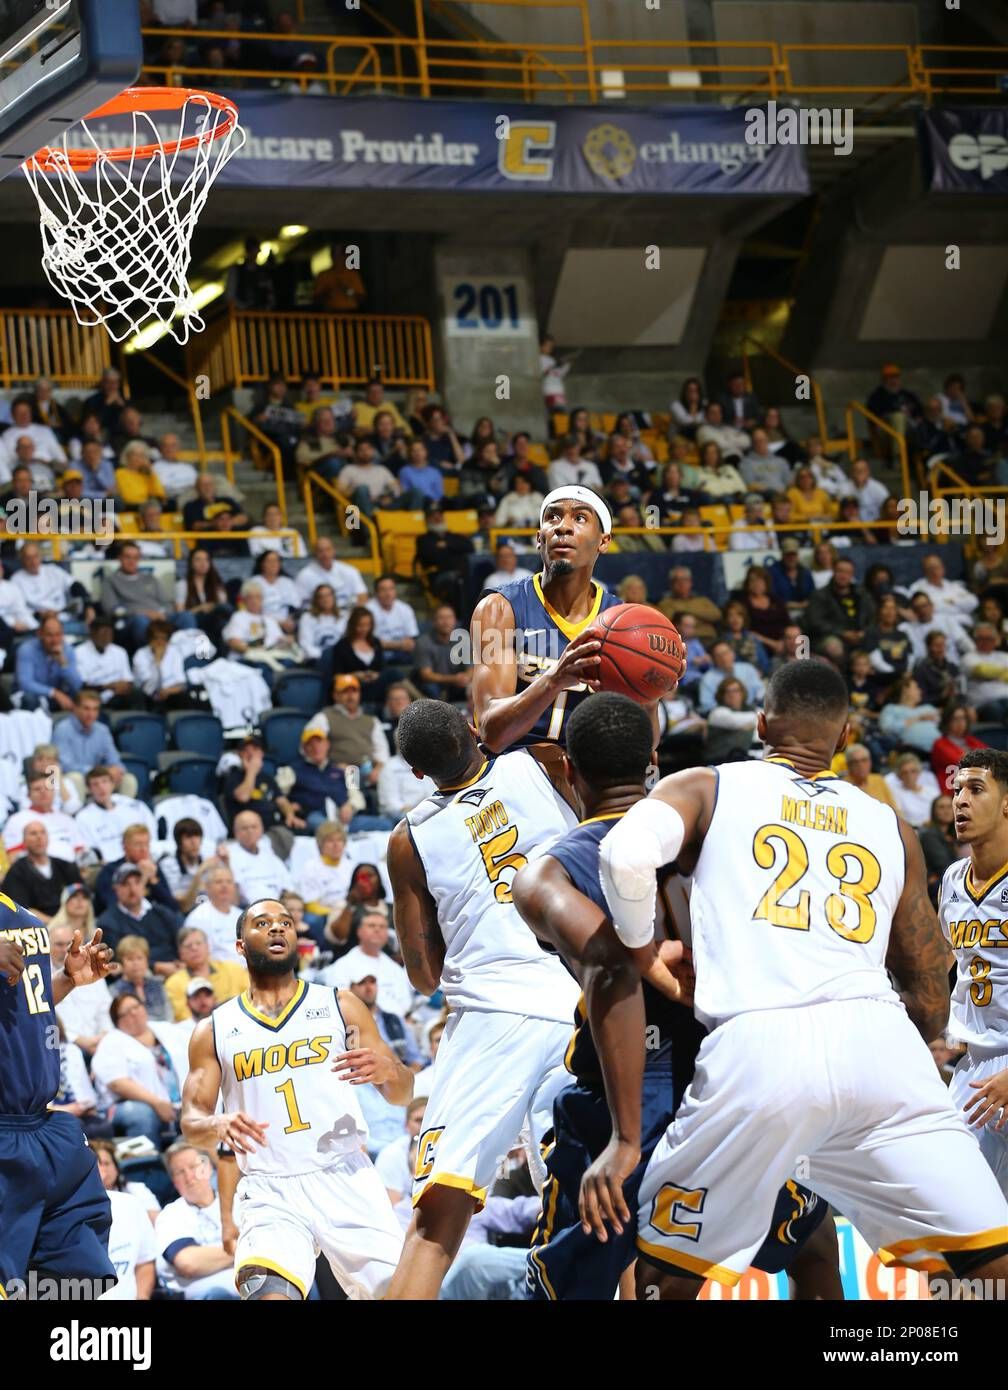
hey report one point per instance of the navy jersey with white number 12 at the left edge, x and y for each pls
(30, 1042)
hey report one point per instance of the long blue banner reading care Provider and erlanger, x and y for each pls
(373, 142)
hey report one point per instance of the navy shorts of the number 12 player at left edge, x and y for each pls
(55, 1214)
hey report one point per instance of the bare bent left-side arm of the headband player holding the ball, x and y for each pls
(504, 717)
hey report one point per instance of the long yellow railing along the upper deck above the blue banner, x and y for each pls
(423, 66)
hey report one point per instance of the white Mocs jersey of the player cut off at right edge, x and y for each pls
(975, 924)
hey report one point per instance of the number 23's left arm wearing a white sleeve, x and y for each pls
(653, 833)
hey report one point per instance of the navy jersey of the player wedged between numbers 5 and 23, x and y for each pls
(674, 1033)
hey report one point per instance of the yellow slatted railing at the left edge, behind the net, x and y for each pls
(49, 343)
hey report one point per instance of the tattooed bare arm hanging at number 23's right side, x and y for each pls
(917, 953)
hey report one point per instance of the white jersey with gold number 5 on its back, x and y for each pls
(472, 840)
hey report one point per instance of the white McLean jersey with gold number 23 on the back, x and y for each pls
(793, 894)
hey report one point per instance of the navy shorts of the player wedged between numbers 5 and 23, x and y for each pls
(564, 1263)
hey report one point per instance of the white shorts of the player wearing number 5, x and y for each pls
(496, 1075)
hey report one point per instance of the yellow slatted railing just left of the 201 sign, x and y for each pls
(245, 348)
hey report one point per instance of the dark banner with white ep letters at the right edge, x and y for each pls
(966, 149)
